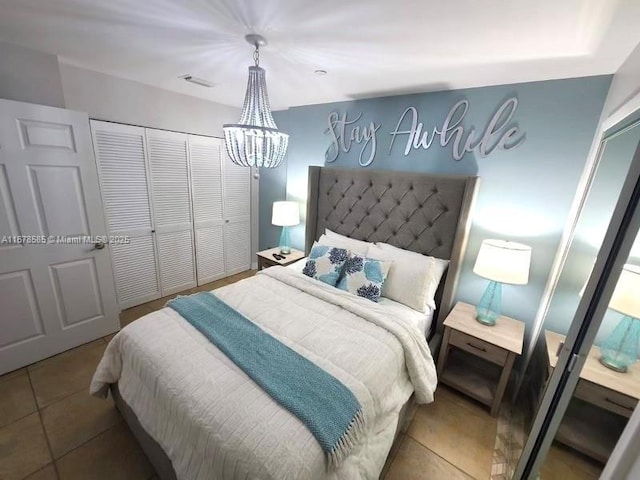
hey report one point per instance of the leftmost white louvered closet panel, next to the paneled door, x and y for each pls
(121, 156)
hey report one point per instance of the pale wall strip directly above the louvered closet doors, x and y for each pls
(105, 97)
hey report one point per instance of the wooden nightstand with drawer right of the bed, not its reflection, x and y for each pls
(466, 341)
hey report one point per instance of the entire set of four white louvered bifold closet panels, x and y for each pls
(185, 206)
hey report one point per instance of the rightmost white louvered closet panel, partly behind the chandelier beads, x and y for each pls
(237, 216)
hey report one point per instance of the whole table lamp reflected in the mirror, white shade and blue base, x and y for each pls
(620, 350)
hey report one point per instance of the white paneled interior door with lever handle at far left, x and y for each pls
(53, 296)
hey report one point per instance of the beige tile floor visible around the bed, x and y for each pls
(50, 428)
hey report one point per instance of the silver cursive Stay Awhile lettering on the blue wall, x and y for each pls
(498, 133)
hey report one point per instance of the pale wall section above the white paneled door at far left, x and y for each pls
(28, 75)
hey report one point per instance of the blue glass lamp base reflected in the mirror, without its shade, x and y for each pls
(620, 350)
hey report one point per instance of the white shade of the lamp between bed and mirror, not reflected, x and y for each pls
(504, 262)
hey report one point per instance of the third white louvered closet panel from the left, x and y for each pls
(206, 190)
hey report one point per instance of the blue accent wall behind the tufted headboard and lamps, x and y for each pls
(525, 193)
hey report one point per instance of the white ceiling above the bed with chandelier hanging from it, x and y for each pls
(368, 47)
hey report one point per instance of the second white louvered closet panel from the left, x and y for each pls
(171, 204)
